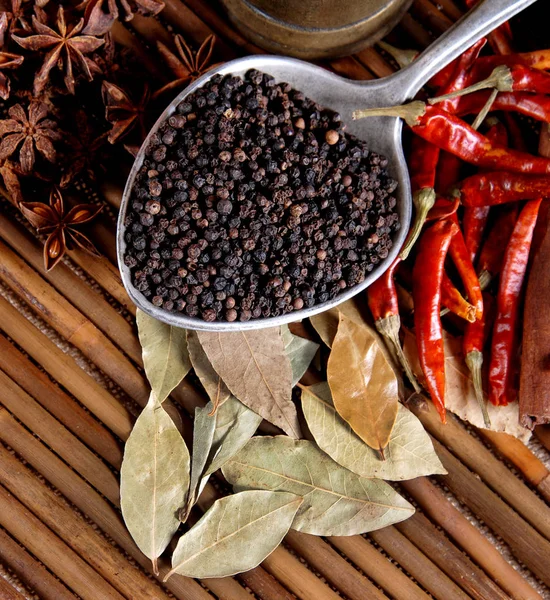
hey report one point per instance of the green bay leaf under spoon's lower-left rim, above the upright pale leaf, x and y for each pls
(165, 357)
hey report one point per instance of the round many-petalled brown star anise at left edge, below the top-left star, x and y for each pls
(32, 131)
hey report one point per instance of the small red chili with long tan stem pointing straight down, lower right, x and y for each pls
(473, 342)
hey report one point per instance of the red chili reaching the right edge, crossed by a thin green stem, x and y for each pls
(536, 106)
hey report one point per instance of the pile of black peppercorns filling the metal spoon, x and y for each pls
(253, 202)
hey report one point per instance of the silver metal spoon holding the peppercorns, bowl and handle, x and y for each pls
(383, 135)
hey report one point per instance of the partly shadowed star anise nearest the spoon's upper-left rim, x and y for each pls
(121, 112)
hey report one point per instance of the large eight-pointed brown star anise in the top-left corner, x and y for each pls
(64, 47)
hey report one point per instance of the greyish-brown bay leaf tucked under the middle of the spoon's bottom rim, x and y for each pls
(255, 368)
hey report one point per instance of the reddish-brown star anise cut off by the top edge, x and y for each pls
(101, 14)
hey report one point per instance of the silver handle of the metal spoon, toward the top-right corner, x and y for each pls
(481, 20)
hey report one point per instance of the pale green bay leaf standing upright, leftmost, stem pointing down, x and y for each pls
(154, 478)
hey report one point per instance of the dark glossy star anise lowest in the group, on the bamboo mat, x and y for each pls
(60, 226)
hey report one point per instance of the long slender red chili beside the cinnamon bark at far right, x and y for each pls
(504, 344)
